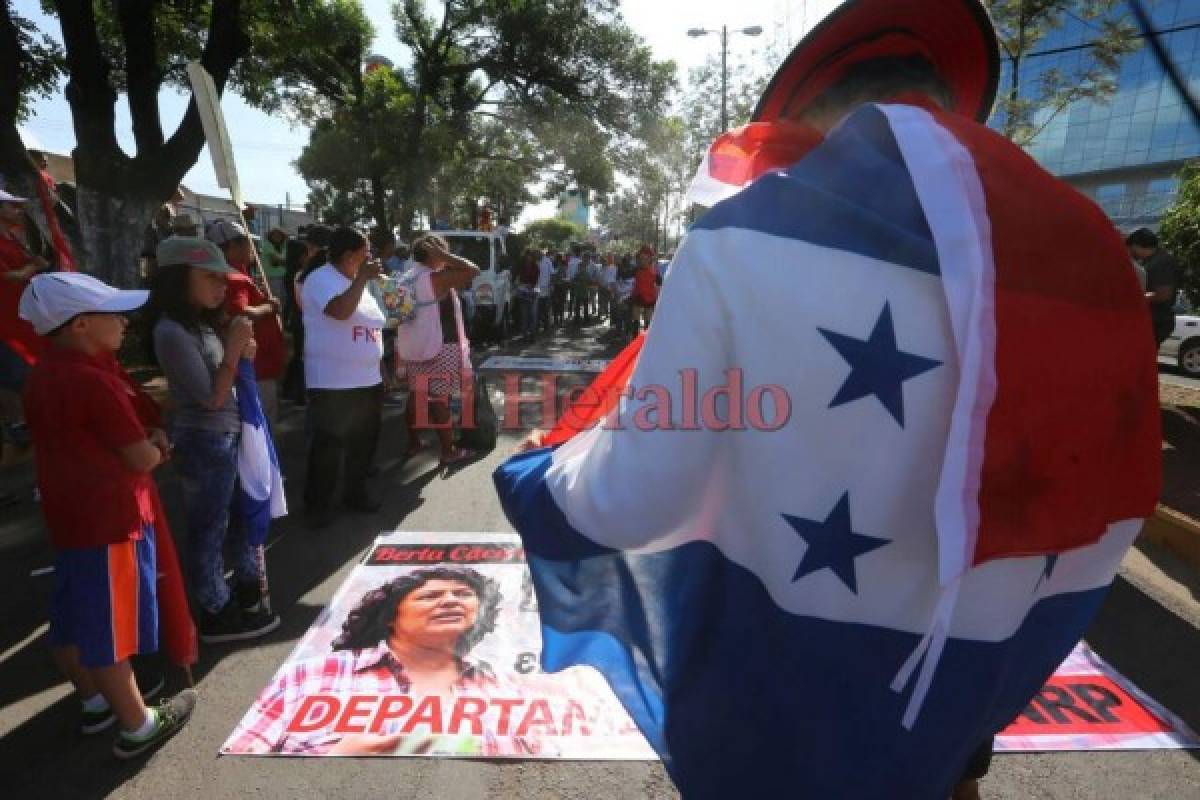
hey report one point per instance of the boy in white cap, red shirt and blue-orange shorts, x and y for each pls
(94, 465)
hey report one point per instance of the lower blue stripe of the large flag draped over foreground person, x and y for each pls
(745, 700)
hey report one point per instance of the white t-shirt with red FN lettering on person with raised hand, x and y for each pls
(340, 353)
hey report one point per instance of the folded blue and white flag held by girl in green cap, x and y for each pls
(260, 479)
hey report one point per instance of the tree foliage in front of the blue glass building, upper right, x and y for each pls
(1022, 26)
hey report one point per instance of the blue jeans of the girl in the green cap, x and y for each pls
(208, 467)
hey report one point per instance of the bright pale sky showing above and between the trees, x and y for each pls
(266, 146)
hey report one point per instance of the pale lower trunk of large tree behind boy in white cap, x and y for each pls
(113, 227)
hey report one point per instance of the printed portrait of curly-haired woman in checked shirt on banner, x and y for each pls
(409, 637)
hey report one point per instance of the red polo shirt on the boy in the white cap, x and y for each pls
(81, 413)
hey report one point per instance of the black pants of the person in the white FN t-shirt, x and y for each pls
(345, 429)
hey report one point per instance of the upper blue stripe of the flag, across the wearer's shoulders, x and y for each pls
(853, 194)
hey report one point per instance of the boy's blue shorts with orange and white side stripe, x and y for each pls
(106, 601)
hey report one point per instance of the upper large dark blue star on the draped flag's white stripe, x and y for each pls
(878, 366)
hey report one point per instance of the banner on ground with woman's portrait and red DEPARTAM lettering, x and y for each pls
(374, 676)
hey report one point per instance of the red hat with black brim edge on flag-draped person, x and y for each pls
(956, 37)
